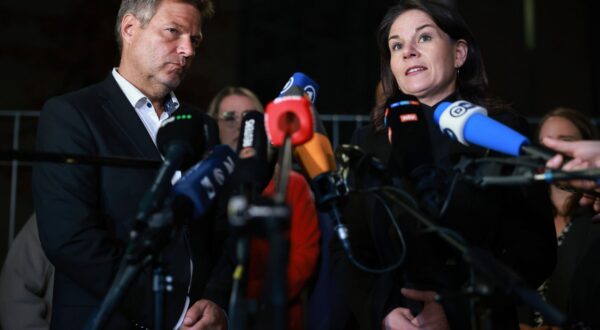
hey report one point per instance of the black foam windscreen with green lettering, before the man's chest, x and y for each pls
(185, 129)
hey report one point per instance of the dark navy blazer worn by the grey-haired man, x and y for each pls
(85, 212)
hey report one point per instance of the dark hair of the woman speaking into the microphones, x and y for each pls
(472, 79)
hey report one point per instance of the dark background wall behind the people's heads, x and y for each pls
(51, 47)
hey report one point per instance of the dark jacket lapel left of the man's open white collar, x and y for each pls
(124, 116)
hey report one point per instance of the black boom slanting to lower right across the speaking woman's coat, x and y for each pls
(483, 263)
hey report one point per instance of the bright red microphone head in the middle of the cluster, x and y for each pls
(289, 116)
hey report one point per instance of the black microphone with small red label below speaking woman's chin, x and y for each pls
(411, 155)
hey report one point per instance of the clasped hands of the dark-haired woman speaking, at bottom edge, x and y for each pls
(432, 317)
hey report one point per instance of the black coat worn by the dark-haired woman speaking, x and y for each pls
(514, 224)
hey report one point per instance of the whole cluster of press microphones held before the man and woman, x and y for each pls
(292, 115)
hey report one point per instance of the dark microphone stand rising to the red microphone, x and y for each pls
(268, 218)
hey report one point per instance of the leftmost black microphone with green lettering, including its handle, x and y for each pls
(181, 141)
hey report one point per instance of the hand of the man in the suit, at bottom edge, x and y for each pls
(205, 315)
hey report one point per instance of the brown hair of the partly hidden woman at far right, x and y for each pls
(588, 131)
